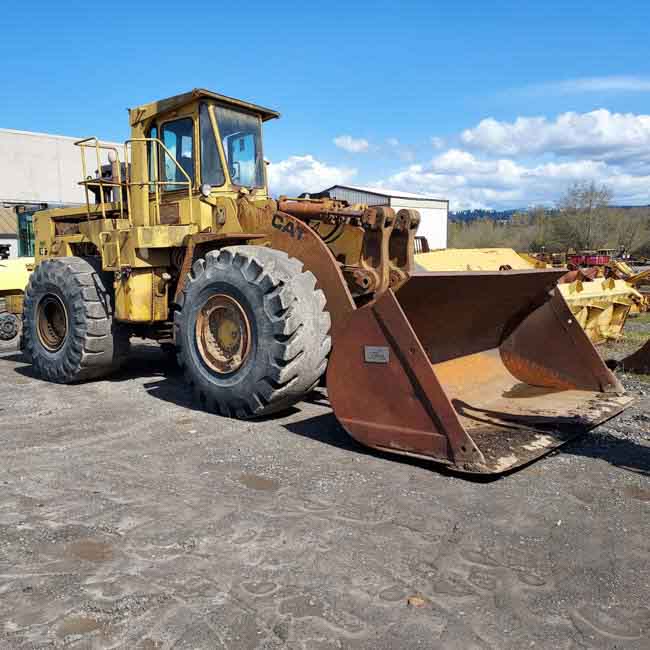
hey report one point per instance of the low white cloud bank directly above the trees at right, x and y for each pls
(472, 182)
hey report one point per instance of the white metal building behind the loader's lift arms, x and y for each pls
(433, 211)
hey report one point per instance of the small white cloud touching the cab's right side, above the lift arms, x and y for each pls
(299, 174)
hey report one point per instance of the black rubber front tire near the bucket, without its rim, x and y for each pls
(294, 307)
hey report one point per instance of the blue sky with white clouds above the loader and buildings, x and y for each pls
(422, 96)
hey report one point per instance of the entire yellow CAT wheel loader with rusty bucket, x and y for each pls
(260, 298)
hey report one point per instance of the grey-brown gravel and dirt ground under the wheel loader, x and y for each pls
(128, 519)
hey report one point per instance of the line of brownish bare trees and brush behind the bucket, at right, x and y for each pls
(583, 219)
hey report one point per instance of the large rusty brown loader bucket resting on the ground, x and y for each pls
(482, 371)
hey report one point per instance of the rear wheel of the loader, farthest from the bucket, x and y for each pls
(68, 329)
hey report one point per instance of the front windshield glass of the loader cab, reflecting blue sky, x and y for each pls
(241, 137)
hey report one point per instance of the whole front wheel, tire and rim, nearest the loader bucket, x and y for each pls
(252, 332)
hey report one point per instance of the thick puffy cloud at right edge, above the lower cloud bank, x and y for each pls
(599, 134)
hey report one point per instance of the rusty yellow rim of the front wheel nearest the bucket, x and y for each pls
(223, 334)
